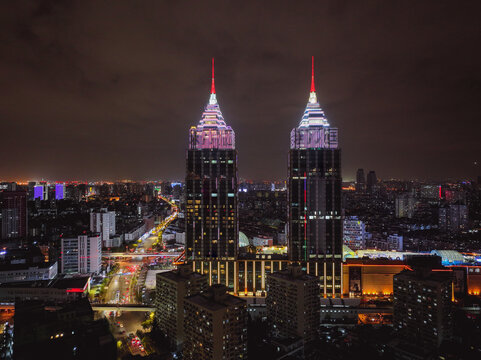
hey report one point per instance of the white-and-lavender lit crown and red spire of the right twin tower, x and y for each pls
(314, 130)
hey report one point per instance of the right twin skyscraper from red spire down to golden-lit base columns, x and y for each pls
(315, 213)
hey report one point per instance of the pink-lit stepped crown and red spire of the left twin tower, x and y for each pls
(212, 131)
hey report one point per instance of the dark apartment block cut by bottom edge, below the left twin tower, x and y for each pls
(215, 325)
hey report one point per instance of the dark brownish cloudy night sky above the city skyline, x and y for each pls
(108, 89)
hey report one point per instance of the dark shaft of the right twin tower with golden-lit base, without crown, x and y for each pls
(315, 213)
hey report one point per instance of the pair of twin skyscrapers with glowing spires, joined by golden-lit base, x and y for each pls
(314, 203)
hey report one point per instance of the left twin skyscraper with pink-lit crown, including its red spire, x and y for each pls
(211, 188)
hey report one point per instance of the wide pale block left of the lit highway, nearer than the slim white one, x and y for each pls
(81, 254)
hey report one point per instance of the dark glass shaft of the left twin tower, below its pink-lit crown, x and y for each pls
(212, 205)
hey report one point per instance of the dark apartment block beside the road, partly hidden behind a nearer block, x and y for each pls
(171, 289)
